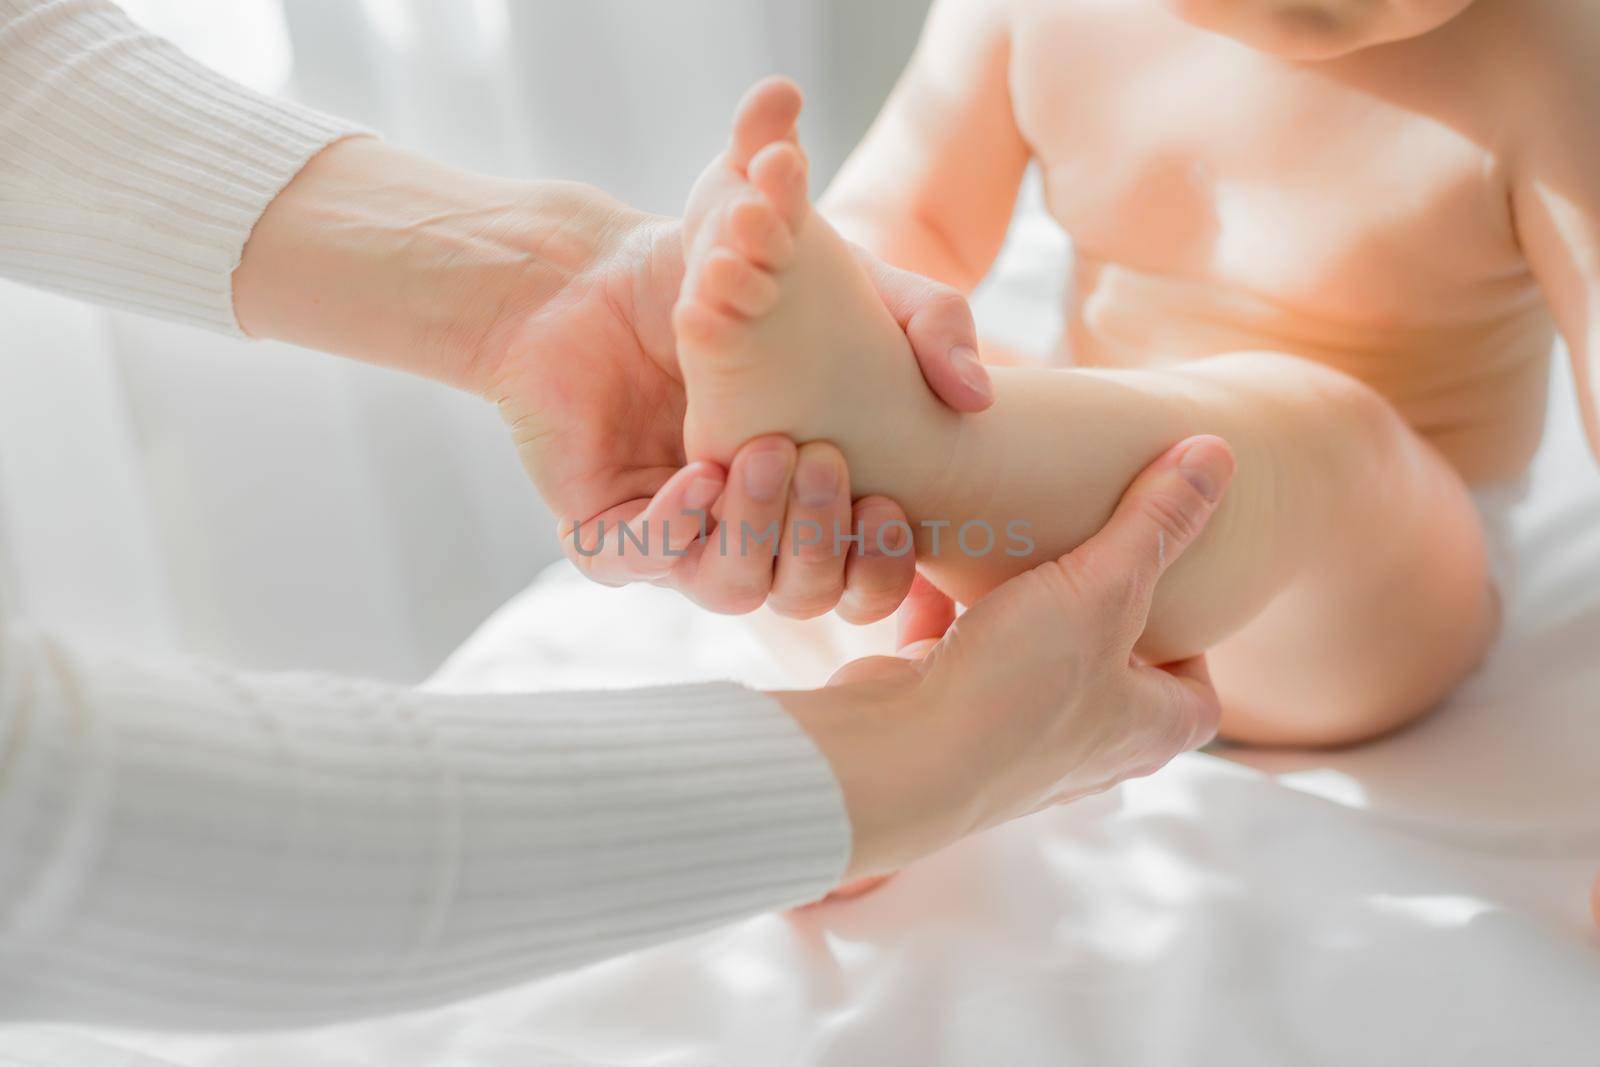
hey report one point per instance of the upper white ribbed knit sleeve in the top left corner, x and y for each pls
(130, 175)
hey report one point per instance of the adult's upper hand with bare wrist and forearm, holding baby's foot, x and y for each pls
(554, 302)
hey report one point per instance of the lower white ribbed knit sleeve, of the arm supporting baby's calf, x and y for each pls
(185, 845)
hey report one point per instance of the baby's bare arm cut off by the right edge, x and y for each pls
(1556, 196)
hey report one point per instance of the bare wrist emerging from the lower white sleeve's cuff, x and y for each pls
(884, 741)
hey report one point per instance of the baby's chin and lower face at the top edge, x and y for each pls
(1313, 31)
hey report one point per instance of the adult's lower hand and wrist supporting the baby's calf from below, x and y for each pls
(1034, 697)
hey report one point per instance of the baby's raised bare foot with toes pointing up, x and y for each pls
(780, 329)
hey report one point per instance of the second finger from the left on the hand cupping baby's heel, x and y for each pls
(735, 567)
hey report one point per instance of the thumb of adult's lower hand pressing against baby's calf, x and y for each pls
(1159, 518)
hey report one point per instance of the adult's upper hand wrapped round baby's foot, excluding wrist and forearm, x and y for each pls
(591, 386)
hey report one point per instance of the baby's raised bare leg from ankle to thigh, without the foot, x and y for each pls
(1343, 583)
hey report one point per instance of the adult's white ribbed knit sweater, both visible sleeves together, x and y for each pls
(190, 845)
